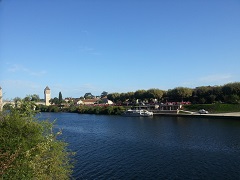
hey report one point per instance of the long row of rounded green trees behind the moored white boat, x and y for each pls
(228, 93)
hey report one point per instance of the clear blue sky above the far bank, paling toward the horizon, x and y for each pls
(79, 46)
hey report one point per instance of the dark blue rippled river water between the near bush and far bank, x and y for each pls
(116, 147)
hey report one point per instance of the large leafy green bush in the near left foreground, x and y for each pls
(29, 149)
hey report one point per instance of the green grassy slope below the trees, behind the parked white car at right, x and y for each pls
(214, 108)
